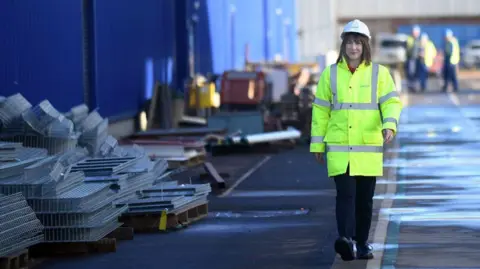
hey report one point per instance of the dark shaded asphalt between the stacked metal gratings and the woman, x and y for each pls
(281, 216)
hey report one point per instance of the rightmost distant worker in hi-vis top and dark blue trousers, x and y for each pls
(451, 60)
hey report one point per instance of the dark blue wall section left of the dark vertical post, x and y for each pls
(41, 51)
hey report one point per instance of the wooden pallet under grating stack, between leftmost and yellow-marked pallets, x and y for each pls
(104, 245)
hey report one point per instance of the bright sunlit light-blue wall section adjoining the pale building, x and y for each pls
(226, 27)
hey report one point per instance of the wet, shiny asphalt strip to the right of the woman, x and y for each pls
(428, 214)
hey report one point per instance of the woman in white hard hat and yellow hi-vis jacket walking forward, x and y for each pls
(356, 111)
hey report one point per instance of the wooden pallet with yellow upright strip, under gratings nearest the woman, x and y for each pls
(172, 220)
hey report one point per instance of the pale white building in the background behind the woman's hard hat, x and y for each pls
(320, 22)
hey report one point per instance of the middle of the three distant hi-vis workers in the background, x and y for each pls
(427, 55)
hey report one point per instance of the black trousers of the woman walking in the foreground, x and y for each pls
(354, 205)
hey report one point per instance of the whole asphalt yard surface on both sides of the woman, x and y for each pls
(281, 215)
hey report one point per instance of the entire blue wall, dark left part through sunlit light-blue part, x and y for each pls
(134, 44)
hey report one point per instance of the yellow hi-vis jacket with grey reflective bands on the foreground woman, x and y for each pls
(348, 115)
